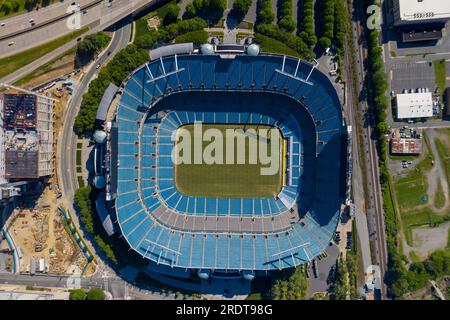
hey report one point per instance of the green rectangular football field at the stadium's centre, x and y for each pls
(229, 180)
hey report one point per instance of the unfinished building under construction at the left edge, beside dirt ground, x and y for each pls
(27, 136)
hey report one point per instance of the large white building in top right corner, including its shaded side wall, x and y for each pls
(408, 12)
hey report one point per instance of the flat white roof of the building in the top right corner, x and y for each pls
(418, 10)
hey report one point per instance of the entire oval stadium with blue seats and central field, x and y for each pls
(220, 219)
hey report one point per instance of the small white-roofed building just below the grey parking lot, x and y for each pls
(414, 105)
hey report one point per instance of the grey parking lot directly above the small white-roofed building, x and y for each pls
(412, 75)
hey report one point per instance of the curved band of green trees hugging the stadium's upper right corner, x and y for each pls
(292, 41)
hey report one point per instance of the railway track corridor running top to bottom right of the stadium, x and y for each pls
(363, 114)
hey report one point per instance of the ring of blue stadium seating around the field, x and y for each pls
(145, 173)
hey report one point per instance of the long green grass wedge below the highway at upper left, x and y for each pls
(17, 61)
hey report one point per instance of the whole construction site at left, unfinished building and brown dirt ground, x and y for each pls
(40, 235)
